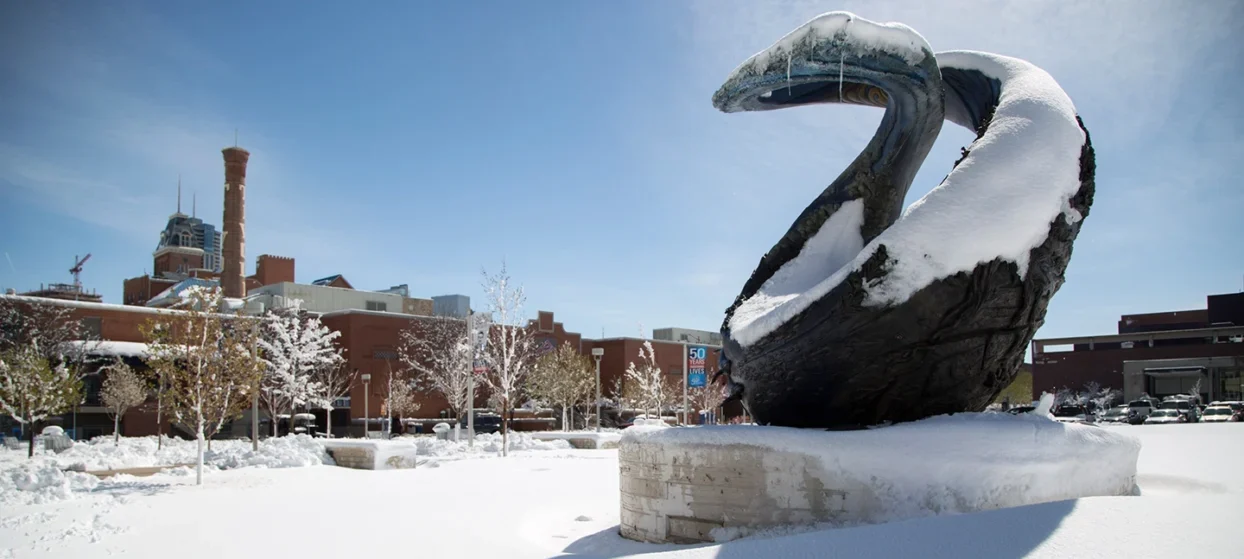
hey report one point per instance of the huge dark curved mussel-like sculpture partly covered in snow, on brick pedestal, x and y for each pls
(864, 313)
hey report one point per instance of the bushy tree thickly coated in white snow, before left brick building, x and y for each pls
(294, 348)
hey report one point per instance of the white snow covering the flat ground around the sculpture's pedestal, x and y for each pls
(544, 505)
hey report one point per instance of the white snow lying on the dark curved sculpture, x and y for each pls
(1000, 202)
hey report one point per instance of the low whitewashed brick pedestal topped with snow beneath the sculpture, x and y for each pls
(706, 484)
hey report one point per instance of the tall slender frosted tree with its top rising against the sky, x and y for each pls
(511, 347)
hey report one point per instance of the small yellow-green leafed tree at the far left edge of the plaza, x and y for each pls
(33, 388)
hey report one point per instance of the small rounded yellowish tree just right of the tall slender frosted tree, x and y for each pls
(563, 378)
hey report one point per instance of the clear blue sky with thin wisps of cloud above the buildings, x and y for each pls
(417, 143)
